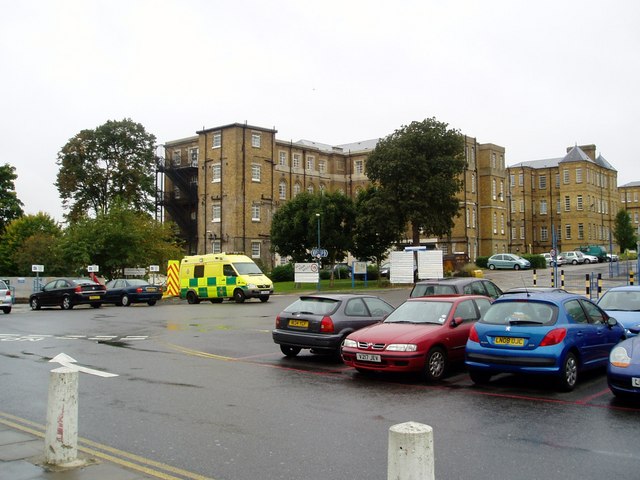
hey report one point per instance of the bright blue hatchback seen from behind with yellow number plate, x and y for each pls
(555, 334)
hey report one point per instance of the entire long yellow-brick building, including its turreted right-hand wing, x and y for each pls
(223, 185)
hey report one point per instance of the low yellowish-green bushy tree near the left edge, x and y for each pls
(22, 244)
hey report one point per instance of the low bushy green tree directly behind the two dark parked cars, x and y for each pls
(119, 239)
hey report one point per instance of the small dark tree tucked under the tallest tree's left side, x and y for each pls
(375, 229)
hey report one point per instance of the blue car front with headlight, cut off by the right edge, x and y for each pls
(623, 370)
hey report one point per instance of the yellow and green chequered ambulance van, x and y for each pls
(216, 276)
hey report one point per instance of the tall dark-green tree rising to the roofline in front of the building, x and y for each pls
(419, 168)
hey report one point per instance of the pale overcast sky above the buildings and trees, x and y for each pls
(534, 77)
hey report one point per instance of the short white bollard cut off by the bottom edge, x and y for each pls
(411, 455)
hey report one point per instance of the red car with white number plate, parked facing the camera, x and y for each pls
(423, 335)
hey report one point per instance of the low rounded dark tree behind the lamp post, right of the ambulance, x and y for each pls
(294, 229)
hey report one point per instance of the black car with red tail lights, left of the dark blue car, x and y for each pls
(67, 293)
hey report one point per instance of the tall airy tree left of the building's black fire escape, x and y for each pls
(113, 162)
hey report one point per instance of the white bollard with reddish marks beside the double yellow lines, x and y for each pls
(61, 437)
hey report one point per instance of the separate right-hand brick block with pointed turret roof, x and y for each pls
(574, 196)
